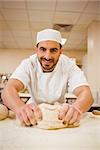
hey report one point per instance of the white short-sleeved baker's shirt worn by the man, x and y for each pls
(52, 86)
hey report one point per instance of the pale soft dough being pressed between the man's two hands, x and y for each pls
(50, 117)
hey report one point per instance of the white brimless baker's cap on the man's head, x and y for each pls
(49, 34)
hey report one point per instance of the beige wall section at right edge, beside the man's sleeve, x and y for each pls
(91, 62)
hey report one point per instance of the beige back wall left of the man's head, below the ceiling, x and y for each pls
(10, 59)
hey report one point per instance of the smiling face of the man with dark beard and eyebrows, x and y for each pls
(48, 53)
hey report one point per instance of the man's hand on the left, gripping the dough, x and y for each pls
(29, 114)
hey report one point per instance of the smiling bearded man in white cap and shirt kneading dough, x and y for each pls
(48, 75)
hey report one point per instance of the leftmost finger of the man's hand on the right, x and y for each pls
(63, 111)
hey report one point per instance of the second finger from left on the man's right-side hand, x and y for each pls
(69, 115)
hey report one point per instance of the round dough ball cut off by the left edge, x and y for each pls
(3, 112)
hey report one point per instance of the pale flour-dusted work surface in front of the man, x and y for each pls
(84, 137)
